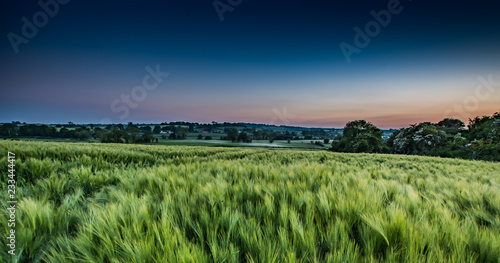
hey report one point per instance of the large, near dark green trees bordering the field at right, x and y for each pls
(480, 139)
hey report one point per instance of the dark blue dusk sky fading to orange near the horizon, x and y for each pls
(314, 63)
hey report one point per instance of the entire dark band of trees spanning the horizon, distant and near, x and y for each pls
(447, 138)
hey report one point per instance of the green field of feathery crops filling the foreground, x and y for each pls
(136, 203)
